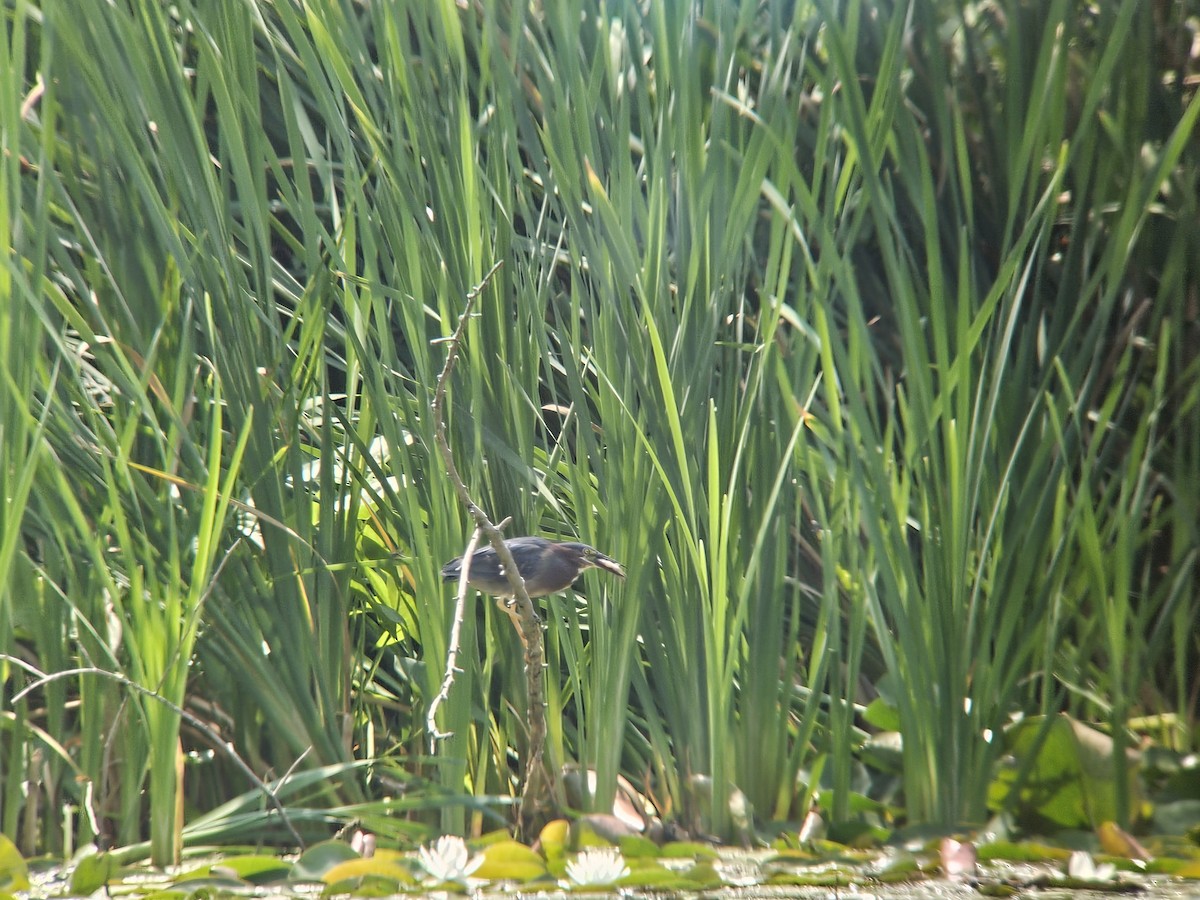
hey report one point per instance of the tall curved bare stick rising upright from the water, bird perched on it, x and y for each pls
(539, 793)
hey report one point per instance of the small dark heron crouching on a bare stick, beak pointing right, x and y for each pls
(548, 567)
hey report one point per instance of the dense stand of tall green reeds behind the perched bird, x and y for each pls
(862, 334)
